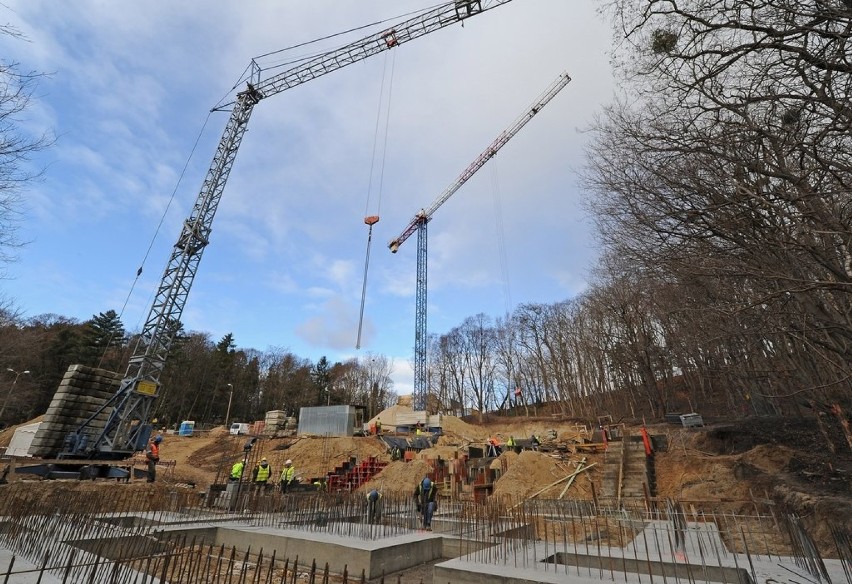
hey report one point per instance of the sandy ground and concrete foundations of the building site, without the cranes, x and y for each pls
(721, 502)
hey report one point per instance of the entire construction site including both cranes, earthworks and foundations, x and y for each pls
(96, 491)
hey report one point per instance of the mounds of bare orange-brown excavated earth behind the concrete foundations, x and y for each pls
(788, 462)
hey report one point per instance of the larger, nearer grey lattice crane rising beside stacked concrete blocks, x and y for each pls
(127, 427)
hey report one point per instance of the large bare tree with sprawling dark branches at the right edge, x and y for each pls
(726, 176)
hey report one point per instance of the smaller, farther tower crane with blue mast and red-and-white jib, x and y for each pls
(421, 219)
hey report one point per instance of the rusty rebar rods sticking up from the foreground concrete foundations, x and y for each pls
(121, 536)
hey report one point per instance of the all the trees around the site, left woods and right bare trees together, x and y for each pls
(720, 182)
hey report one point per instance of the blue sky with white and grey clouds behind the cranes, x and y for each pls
(130, 90)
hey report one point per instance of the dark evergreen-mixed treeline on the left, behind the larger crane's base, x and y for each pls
(201, 377)
